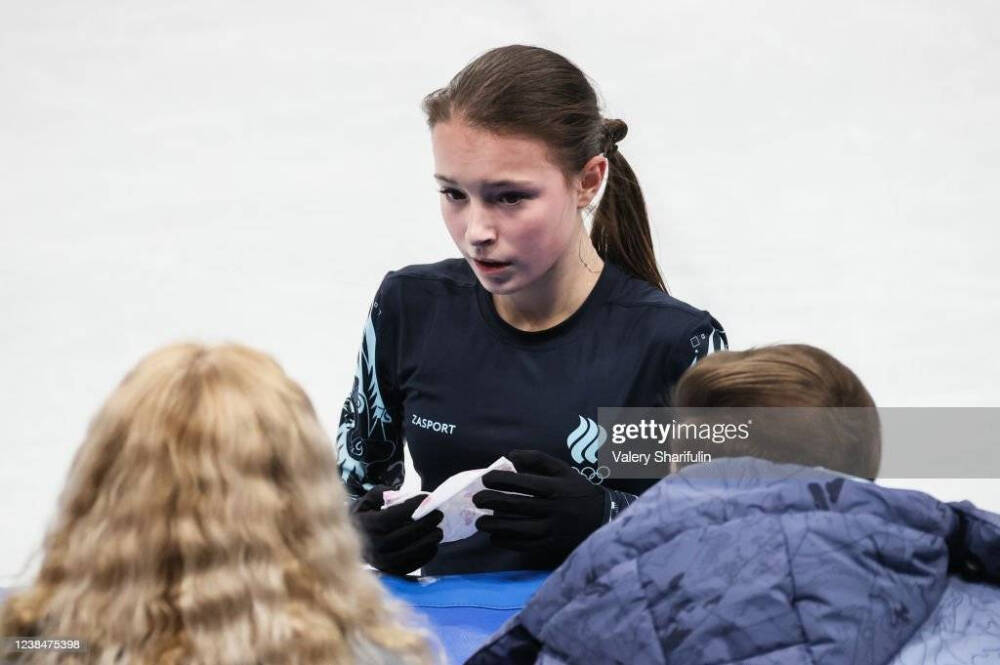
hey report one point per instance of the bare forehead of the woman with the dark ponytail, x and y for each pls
(471, 156)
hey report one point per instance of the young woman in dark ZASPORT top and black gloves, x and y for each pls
(515, 345)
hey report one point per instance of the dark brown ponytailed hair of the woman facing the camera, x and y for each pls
(531, 91)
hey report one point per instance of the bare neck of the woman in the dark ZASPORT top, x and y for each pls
(557, 294)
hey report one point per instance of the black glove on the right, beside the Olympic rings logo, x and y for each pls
(562, 508)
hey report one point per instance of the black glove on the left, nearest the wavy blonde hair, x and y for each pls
(394, 542)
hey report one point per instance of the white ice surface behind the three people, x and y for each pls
(823, 172)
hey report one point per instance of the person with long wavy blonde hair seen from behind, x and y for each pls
(203, 522)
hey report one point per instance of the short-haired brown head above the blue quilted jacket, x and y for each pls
(845, 436)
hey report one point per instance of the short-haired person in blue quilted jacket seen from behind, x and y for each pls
(750, 558)
